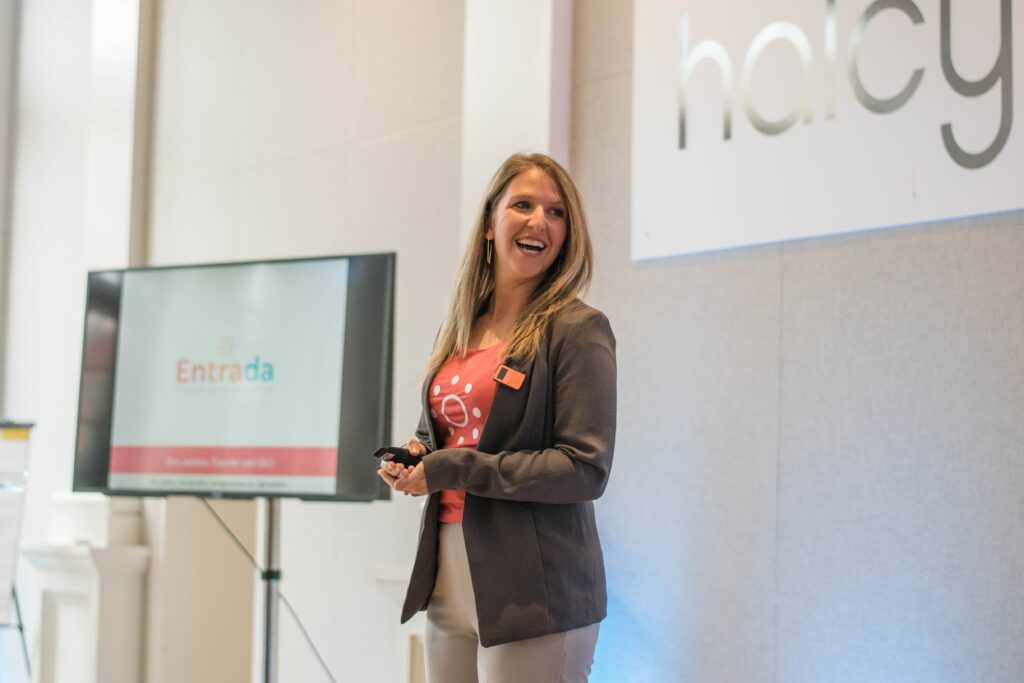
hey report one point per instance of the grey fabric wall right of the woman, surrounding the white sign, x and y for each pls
(820, 472)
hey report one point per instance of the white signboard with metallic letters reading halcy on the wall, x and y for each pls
(759, 122)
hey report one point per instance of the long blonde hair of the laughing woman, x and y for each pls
(568, 278)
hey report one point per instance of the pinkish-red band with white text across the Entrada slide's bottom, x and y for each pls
(279, 461)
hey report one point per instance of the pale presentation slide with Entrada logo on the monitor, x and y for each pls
(229, 379)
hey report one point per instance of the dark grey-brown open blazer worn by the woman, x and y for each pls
(545, 454)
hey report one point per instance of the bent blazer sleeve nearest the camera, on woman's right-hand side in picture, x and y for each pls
(577, 465)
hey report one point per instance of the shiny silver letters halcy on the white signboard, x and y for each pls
(1002, 75)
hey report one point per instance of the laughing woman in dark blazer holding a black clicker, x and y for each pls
(517, 439)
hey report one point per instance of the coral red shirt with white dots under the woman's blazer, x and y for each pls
(461, 395)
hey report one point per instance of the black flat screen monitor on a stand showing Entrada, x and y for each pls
(237, 380)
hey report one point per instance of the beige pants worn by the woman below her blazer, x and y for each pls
(454, 653)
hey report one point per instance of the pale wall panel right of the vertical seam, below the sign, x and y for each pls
(902, 471)
